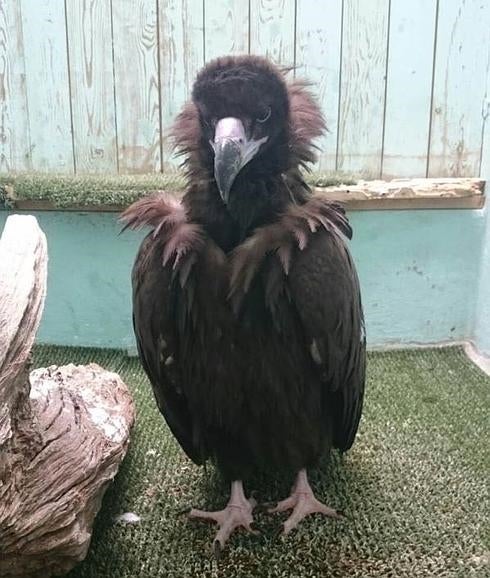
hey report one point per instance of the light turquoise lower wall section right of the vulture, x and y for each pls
(419, 273)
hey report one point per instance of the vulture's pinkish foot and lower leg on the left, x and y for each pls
(238, 513)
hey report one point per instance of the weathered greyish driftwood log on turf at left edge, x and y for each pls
(63, 430)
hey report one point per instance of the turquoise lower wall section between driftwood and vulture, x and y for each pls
(88, 300)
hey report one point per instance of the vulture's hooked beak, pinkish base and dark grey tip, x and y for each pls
(232, 151)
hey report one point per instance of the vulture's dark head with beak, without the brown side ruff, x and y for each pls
(243, 112)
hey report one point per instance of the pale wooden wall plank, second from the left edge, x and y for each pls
(48, 93)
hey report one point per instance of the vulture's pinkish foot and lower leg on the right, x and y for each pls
(303, 503)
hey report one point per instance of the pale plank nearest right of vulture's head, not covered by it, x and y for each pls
(362, 90)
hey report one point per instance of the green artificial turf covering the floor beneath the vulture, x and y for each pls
(414, 488)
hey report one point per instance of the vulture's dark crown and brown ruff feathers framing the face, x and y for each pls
(234, 78)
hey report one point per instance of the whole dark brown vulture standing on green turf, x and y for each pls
(246, 303)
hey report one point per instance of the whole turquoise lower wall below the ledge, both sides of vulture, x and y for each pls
(419, 272)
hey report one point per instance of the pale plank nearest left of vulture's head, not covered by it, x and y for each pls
(136, 85)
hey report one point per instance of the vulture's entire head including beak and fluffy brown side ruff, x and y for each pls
(245, 119)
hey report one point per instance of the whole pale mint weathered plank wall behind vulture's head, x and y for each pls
(91, 86)
